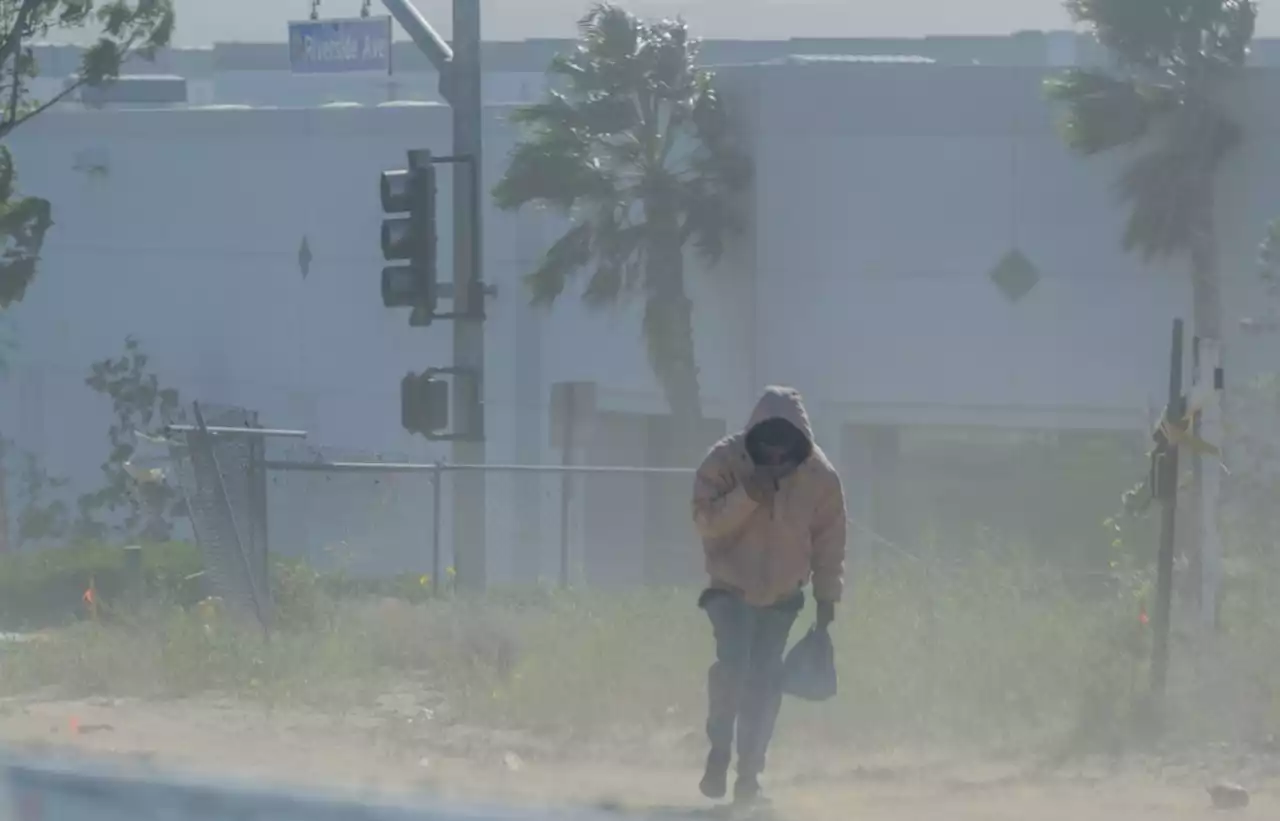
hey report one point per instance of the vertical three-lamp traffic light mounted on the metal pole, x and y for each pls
(409, 239)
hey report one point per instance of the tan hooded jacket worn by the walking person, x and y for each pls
(767, 553)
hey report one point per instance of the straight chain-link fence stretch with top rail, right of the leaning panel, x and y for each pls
(597, 526)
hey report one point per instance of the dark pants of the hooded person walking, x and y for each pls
(744, 686)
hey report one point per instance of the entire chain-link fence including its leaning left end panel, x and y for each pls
(254, 492)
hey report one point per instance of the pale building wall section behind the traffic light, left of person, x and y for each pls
(188, 235)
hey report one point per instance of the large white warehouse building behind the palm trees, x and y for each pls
(885, 197)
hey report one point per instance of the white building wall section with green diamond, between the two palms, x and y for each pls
(899, 189)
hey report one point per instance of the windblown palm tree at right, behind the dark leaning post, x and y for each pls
(1162, 95)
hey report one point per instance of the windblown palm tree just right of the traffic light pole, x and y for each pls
(633, 144)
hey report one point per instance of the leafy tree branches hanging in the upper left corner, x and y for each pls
(125, 29)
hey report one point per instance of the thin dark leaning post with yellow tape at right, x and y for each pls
(1167, 476)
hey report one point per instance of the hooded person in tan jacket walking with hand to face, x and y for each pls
(770, 509)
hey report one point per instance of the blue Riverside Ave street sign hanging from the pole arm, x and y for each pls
(341, 47)
